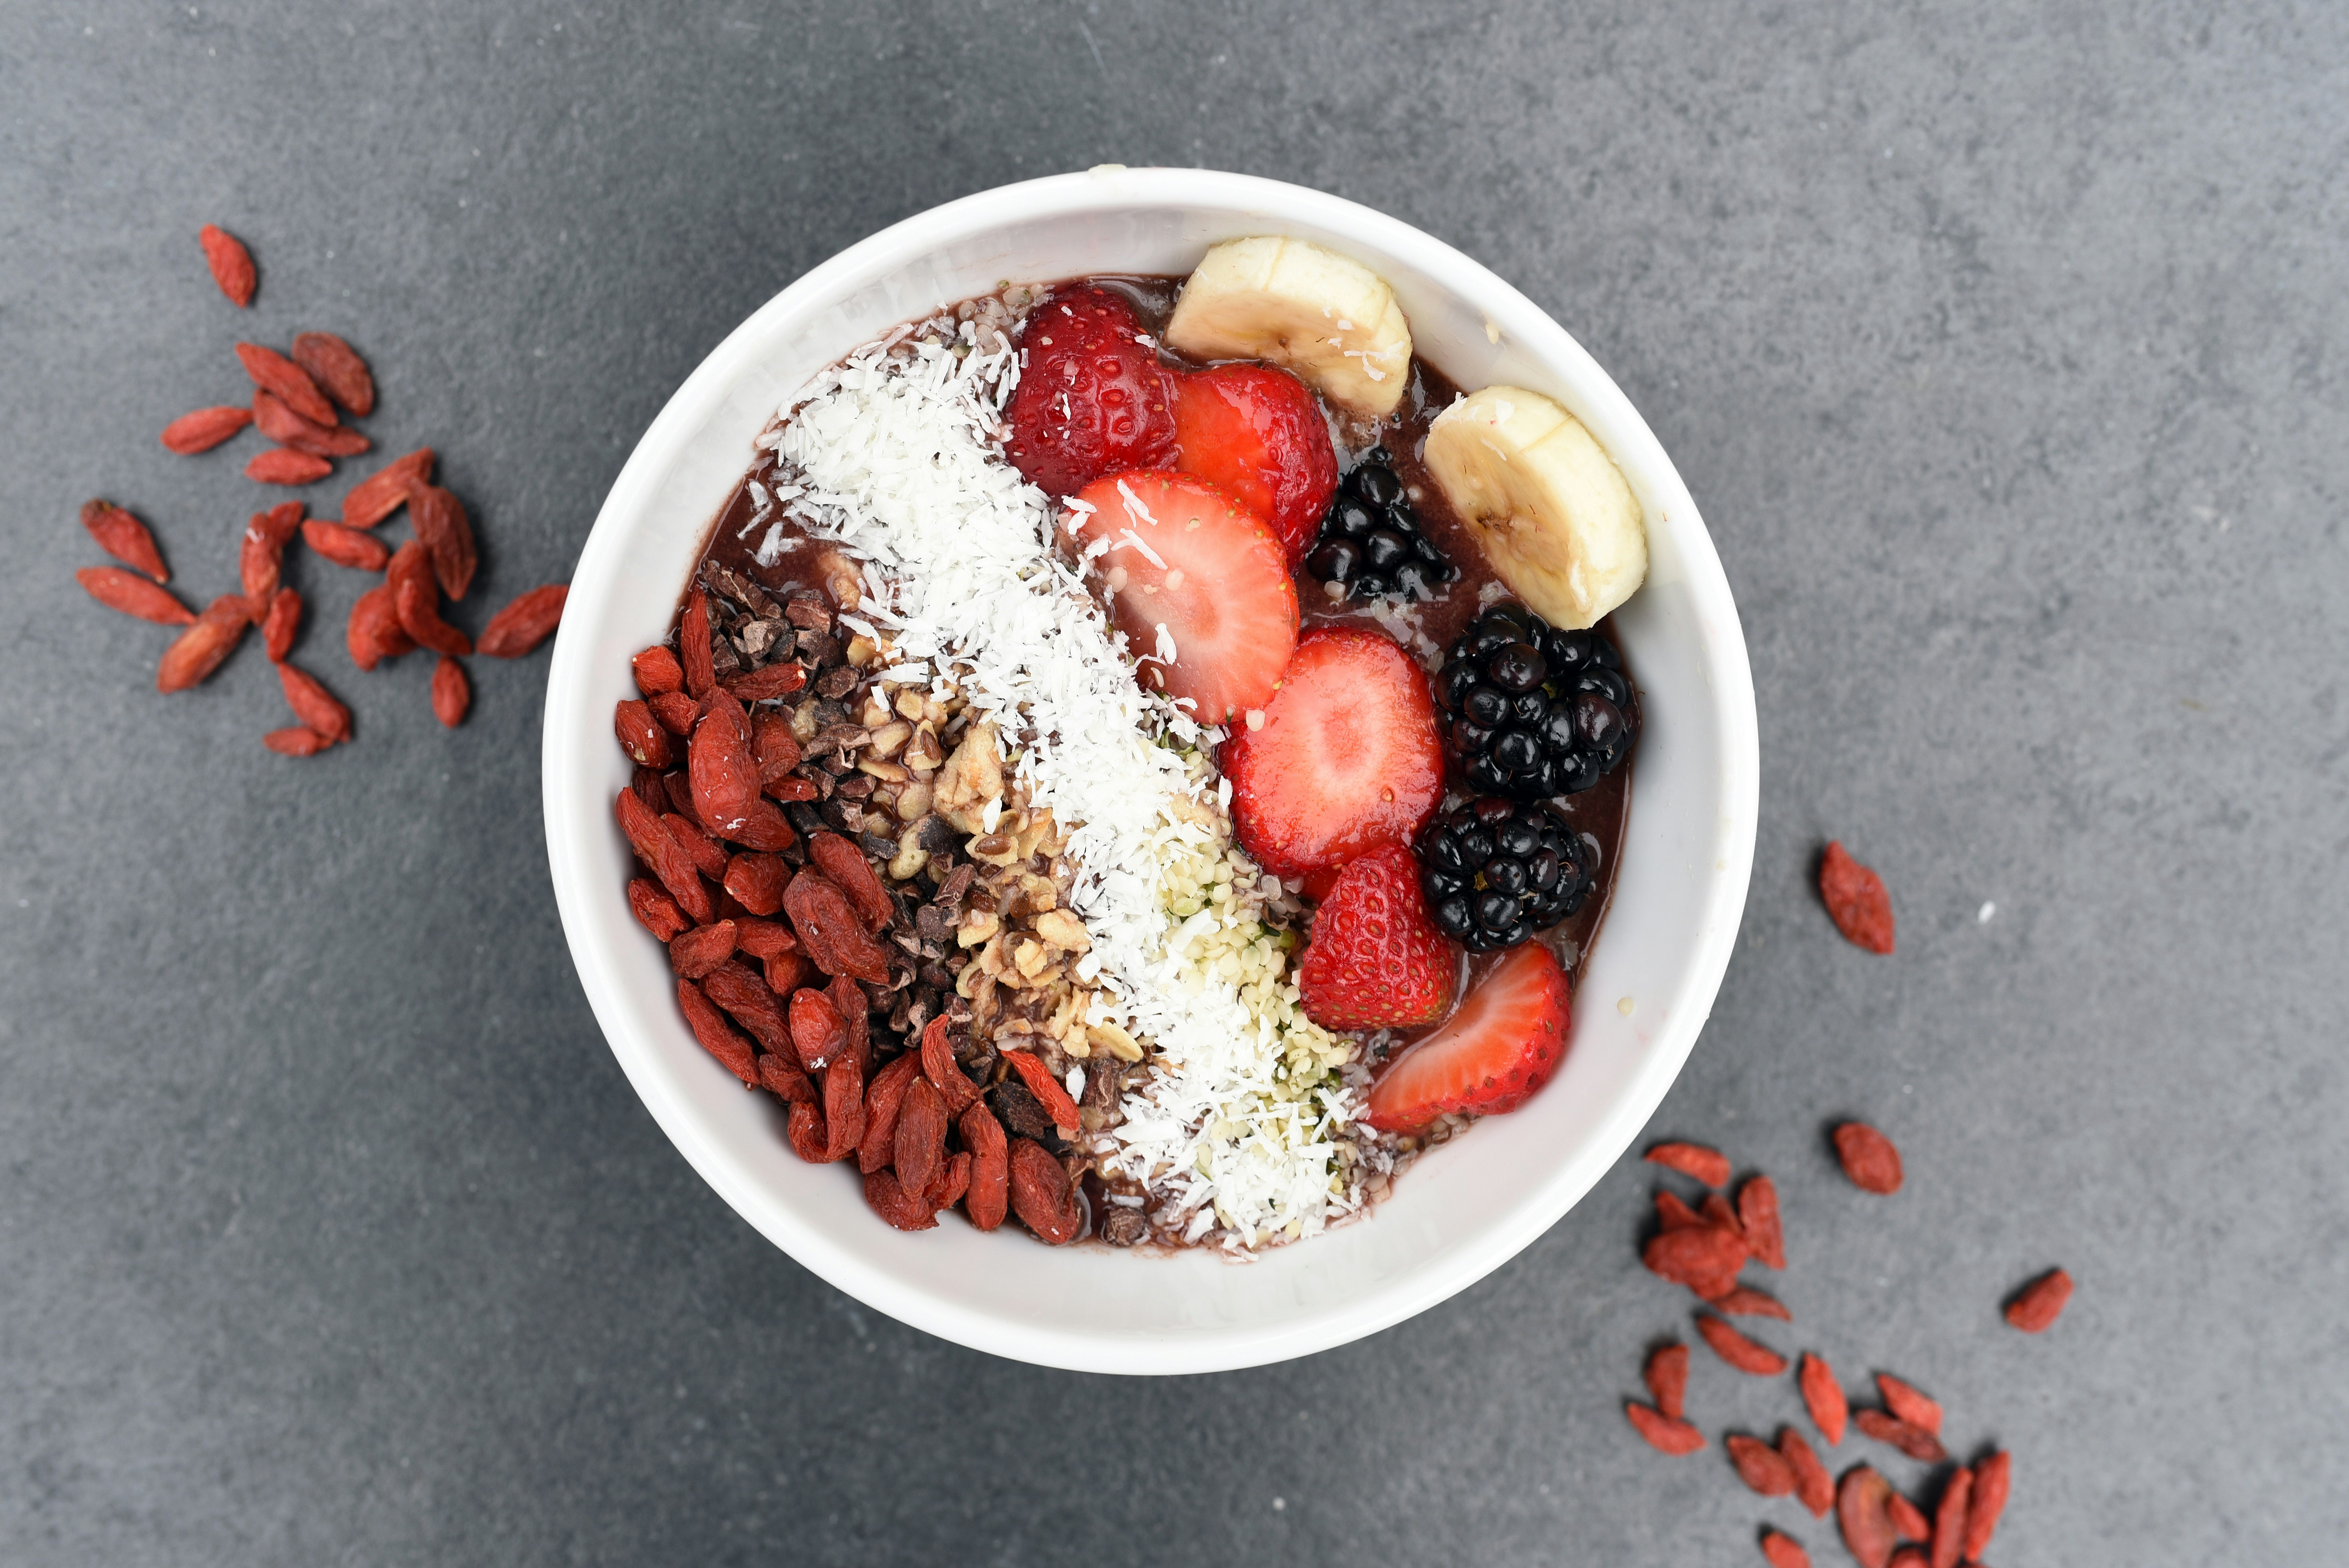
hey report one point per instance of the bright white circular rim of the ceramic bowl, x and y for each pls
(1103, 191)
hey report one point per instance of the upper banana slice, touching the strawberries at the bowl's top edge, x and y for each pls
(1305, 309)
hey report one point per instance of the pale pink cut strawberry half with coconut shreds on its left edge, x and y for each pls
(1194, 581)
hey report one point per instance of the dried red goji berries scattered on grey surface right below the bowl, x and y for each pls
(1707, 1248)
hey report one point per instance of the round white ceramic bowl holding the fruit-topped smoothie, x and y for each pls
(1460, 1212)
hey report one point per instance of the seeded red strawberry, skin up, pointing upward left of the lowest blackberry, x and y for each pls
(1375, 959)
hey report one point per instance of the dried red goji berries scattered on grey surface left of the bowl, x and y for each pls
(299, 405)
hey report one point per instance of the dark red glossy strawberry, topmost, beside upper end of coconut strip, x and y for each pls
(1091, 398)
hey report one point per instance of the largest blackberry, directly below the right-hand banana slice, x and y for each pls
(1535, 712)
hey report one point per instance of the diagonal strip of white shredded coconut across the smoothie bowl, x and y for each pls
(1244, 1130)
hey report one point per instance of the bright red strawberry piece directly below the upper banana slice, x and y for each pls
(1260, 435)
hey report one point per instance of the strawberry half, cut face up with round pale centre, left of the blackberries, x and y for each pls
(1345, 762)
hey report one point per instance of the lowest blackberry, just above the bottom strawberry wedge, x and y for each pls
(1497, 872)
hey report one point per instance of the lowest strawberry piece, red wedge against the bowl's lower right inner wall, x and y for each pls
(1505, 1043)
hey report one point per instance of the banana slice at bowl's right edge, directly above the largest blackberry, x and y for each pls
(1544, 499)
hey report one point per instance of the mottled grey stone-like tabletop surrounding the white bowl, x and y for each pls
(2005, 349)
